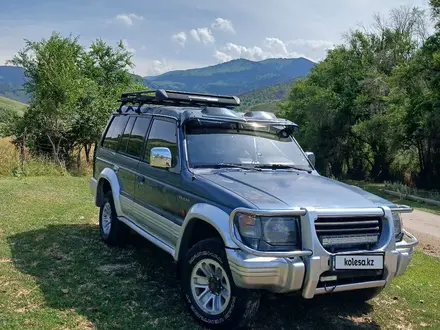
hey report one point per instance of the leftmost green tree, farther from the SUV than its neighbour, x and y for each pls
(52, 67)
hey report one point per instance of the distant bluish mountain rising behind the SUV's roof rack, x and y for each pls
(233, 77)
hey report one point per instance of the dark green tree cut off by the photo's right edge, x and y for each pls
(417, 102)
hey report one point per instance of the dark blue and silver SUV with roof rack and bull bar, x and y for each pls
(239, 205)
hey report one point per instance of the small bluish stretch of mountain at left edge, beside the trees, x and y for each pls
(11, 81)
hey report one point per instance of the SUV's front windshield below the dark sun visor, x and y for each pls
(254, 145)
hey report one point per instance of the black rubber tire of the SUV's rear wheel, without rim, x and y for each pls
(118, 231)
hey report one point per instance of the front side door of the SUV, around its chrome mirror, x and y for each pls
(155, 195)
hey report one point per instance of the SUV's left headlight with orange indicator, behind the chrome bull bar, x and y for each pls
(268, 233)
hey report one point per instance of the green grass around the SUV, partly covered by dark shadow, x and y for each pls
(55, 273)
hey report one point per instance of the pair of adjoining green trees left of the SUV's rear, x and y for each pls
(73, 92)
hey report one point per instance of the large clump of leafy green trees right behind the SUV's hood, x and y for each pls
(344, 105)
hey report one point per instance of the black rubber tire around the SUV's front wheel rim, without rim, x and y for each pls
(243, 304)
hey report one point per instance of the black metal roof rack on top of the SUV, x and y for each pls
(176, 98)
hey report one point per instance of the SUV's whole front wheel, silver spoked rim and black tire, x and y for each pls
(209, 290)
